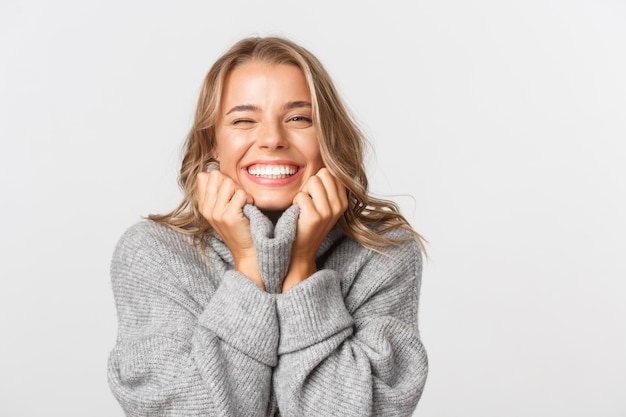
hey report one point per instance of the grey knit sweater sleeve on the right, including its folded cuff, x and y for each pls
(354, 355)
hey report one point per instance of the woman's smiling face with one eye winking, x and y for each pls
(265, 139)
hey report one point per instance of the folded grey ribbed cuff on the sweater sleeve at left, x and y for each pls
(244, 316)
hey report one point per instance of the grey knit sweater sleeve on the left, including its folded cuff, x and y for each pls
(177, 356)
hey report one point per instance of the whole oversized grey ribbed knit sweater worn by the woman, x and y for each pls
(196, 338)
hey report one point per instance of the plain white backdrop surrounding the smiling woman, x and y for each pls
(499, 126)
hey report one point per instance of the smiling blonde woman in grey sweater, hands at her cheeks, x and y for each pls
(278, 286)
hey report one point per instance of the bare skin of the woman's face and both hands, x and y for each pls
(265, 120)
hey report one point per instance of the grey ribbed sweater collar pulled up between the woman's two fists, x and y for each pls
(272, 244)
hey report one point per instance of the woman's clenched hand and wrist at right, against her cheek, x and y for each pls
(322, 200)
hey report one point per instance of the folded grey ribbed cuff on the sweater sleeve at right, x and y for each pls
(311, 311)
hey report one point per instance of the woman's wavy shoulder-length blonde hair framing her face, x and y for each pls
(341, 142)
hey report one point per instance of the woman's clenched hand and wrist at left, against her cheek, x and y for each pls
(221, 201)
